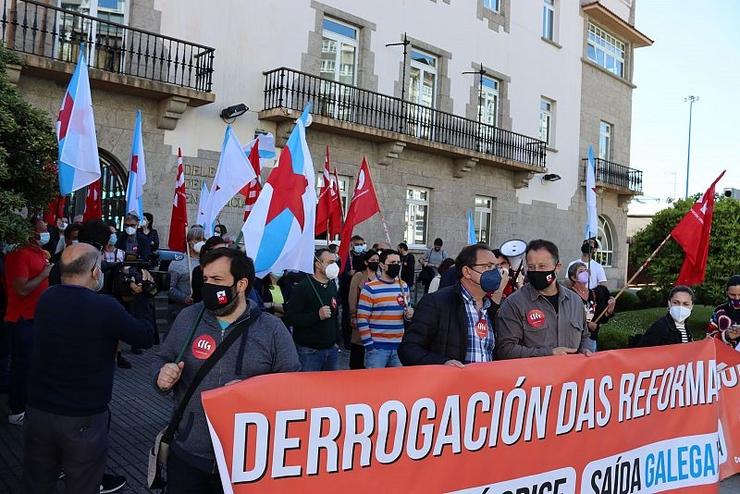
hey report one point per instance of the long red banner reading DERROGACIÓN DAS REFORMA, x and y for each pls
(643, 420)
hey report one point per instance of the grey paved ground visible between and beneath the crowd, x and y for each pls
(139, 414)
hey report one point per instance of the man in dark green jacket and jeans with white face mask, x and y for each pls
(312, 311)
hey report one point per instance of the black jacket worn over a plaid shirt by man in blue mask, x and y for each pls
(439, 330)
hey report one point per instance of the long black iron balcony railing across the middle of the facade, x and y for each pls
(287, 88)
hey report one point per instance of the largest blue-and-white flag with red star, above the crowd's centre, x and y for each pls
(279, 233)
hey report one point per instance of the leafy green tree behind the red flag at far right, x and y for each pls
(724, 256)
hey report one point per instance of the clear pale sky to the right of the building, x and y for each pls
(696, 51)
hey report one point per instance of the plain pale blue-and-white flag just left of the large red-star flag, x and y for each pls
(233, 173)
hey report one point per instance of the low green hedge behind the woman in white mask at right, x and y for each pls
(616, 333)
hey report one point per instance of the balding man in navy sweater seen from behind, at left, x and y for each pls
(71, 375)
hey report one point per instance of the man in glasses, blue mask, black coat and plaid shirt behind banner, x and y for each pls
(454, 326)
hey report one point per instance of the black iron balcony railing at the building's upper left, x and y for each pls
(53, 33)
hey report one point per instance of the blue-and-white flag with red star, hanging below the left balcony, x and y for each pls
(79, 164)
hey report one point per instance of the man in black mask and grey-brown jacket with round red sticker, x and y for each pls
(542, 318)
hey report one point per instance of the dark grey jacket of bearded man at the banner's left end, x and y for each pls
(268, 348)
